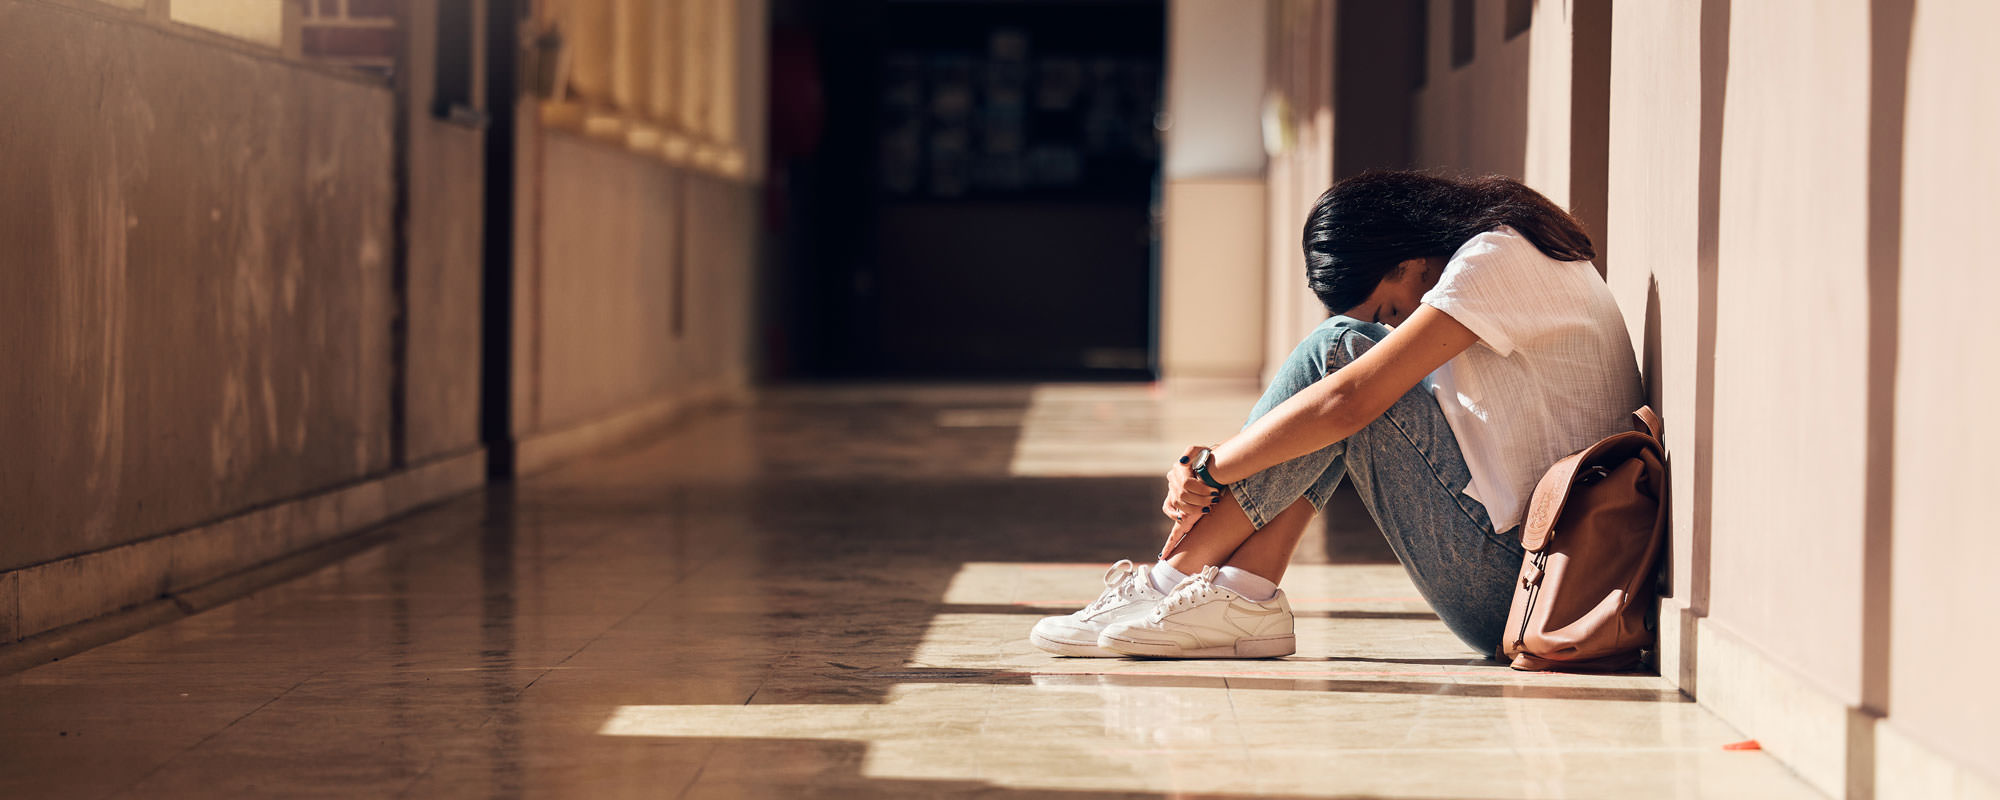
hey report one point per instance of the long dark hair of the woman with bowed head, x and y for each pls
(1367, 225)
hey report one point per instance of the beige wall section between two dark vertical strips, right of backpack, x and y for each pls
(1793, 277)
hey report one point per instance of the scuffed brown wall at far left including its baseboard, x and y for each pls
(199, 305)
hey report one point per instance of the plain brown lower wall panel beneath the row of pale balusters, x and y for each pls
(635, 307)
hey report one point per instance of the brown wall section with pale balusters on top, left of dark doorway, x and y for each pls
(637, 221)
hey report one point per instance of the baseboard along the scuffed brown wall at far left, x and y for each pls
(41, 603)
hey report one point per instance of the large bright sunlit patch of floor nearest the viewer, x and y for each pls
(1133, 733)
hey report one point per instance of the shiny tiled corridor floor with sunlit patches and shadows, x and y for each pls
(829, 597)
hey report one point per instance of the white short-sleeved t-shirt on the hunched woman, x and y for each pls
(1551, 375)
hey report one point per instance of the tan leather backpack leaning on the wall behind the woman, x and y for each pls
(1595, 531)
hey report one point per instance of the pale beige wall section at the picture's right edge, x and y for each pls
(1941, 733)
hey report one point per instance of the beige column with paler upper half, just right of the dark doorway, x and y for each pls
(1213, 241)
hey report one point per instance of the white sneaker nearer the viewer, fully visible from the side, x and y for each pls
(1205, 621)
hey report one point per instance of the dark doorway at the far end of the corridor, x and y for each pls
(981, 199)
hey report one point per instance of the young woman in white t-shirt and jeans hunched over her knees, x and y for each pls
(1473, 345)
